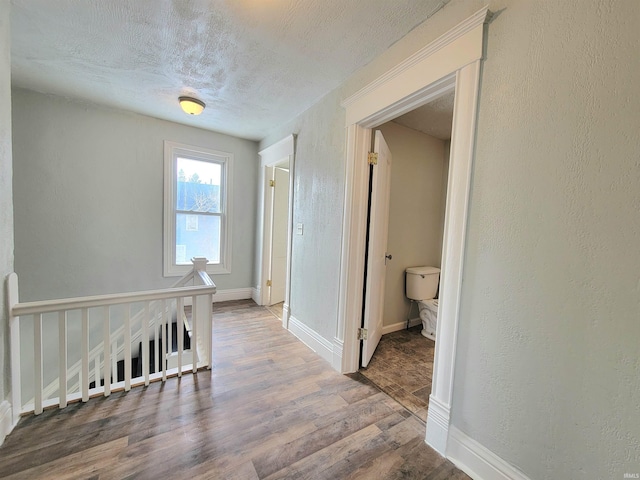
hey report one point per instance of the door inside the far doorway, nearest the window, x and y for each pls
(279, 232)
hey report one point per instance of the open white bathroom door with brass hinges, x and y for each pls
(377, 248)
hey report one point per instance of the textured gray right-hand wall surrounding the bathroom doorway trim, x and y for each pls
(547, 361)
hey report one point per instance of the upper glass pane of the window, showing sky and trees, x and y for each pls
(198, 186)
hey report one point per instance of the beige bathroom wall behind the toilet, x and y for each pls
(415, 212)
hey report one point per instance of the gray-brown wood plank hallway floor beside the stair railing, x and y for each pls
(269, 409)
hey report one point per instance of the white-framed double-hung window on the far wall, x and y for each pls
(196, 208)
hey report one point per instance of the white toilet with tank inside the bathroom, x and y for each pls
(421, 287)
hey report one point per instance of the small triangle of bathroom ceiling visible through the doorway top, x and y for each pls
(434, 118)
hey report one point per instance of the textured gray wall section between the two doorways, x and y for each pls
(318, 195)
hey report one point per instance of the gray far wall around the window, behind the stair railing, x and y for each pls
(88, 198)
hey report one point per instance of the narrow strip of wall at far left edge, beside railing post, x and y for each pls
(6, 201)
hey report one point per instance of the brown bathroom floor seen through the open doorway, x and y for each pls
(402, 367)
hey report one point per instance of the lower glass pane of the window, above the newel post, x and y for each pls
(203, 241)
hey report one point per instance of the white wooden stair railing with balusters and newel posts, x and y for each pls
(41, 316)
